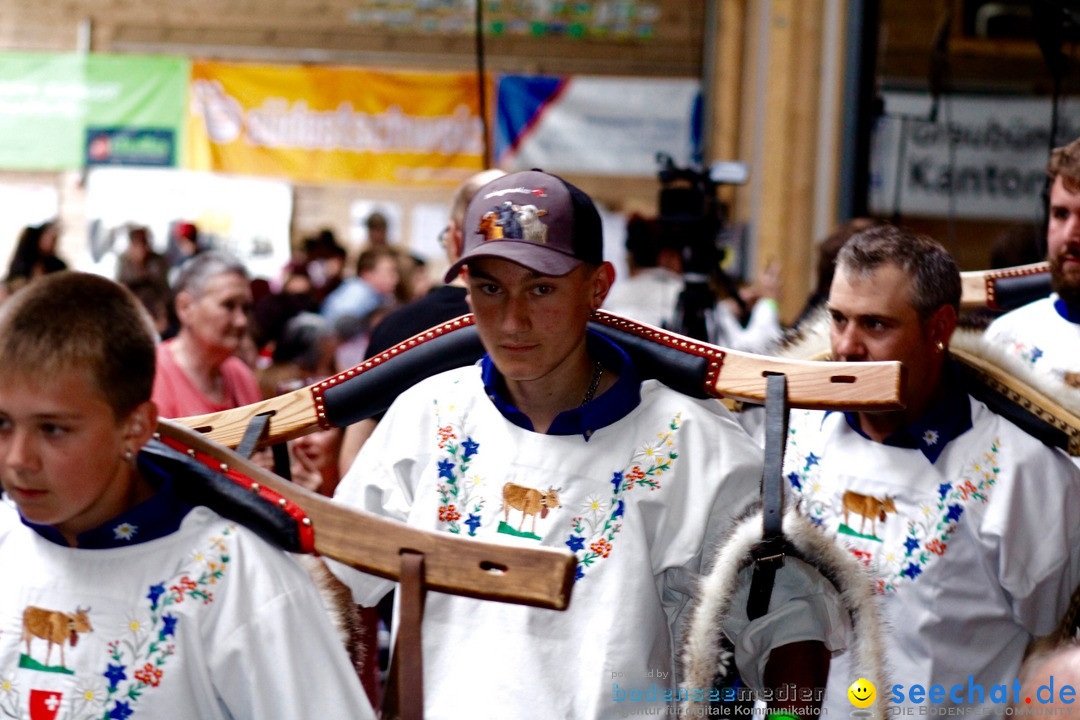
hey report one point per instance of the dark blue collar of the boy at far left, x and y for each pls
(156, 518)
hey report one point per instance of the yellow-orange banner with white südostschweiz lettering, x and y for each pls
(330, 124)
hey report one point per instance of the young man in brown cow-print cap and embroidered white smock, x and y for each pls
(552, 441)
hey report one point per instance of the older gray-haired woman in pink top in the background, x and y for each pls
(198, 371)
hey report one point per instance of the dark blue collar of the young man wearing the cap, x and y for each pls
(607, 409)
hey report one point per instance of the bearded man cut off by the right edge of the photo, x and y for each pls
(1046, 334)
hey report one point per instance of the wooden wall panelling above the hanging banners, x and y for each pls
(294, 31)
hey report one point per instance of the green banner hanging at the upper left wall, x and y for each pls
(58, 112)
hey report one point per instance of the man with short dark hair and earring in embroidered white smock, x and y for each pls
(966, 524)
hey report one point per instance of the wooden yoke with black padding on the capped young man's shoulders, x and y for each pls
(691, 366)
